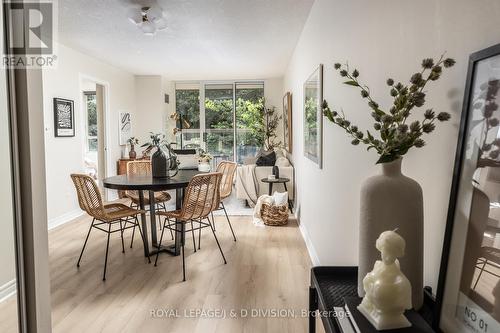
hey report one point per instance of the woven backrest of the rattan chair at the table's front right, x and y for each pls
(202, 196)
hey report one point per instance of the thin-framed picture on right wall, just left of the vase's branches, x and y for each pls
(313, 119)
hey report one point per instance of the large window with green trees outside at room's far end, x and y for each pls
(230, 121)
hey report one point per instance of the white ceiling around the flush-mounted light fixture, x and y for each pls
(205, 39)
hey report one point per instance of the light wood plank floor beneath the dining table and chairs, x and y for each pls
(268, 269)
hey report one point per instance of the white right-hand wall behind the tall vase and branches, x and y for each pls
(382, 39)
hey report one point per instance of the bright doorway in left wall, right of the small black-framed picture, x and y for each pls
(94, 141)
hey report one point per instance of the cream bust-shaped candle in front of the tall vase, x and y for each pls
(388, 291)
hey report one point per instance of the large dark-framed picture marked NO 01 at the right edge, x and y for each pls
(468, 295)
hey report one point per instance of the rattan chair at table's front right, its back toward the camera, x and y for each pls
(201, 196)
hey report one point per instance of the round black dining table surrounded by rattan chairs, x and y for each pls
(143, 183)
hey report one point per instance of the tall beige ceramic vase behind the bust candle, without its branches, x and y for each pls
(391, 200)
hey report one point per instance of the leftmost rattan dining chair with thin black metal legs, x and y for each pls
(90, 200)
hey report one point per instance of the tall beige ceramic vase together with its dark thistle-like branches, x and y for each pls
(391, 200)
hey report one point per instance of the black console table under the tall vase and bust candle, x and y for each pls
(330, 286)
